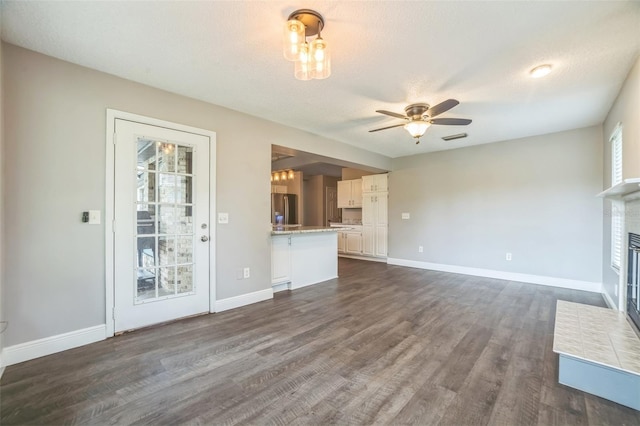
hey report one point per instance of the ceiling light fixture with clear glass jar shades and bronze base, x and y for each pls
(312, 60)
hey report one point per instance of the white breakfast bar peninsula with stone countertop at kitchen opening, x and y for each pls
(303, 256)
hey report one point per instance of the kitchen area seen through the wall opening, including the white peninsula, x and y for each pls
(323, 208)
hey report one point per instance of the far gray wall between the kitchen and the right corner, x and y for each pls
(533, 197)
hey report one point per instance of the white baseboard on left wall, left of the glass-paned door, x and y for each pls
(50, 345)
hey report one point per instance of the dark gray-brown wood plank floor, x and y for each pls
(380, 345)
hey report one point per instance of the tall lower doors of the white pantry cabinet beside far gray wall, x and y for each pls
(375, 224)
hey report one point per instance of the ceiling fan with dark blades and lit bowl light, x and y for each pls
(420, 116)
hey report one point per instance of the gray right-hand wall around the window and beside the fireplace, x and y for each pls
(625, 110)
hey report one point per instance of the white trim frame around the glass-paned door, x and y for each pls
(112, 115)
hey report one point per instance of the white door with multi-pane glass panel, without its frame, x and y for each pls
(161, 227)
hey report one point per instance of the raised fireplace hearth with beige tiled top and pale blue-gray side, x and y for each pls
(599, 352)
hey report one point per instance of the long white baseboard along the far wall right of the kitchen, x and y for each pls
(502, 275)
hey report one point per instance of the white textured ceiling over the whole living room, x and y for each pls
(385, 54)
